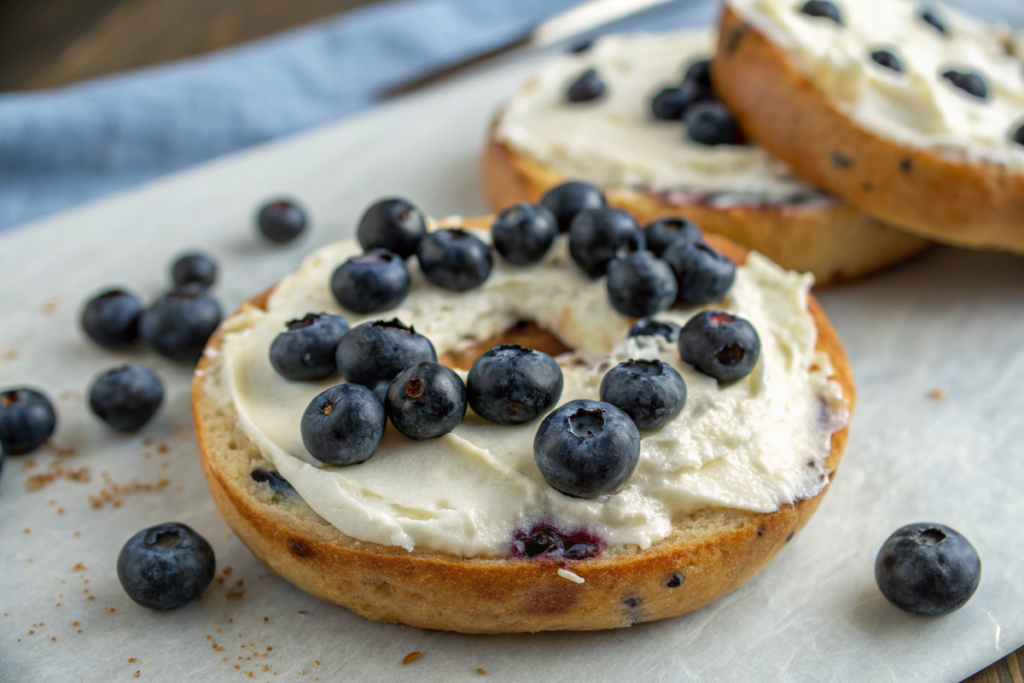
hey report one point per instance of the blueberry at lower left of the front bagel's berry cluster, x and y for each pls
(345, 425)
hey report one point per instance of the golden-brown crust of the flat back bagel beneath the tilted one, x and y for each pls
(834, 242)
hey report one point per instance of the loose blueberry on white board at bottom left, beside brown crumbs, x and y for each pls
(165, 567)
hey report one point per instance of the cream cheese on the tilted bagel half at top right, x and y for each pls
(917, 107)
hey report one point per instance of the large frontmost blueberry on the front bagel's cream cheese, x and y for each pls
(586, 449)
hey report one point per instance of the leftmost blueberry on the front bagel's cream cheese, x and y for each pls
(306, 351)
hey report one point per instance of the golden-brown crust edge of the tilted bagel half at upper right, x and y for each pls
(941, 198)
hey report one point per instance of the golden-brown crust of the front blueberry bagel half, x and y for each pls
(714, 552)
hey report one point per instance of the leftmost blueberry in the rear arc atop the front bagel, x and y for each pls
(371, 283)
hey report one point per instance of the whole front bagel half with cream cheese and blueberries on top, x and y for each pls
(488, 440)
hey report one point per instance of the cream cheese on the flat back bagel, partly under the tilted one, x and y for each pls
(617, 142)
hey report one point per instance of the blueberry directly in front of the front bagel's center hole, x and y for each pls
(511, 386)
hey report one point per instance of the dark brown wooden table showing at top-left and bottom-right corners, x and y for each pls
(49, 44)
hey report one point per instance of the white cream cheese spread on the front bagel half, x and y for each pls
(754, 445)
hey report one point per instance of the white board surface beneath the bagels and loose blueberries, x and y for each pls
(951, 322)
